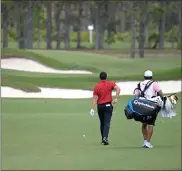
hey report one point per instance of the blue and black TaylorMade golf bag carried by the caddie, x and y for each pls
(141, 109)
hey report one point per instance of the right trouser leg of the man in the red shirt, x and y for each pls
(107, 120)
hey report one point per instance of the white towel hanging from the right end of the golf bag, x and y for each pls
(166, 111)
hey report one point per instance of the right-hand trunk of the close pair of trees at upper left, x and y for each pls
(30, 26)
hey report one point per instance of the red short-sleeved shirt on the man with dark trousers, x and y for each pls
(104, 91)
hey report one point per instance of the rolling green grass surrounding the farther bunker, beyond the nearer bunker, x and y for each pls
(118, 69)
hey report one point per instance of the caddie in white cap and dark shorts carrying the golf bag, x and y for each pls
(152, 91)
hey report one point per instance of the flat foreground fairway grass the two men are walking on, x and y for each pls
(47, 134)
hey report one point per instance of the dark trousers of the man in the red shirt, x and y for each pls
(105, 114)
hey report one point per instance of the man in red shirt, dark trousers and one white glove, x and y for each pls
(102, 96)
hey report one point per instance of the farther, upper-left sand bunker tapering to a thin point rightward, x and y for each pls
(32, 66)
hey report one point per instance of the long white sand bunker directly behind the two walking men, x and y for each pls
(126, 89)
